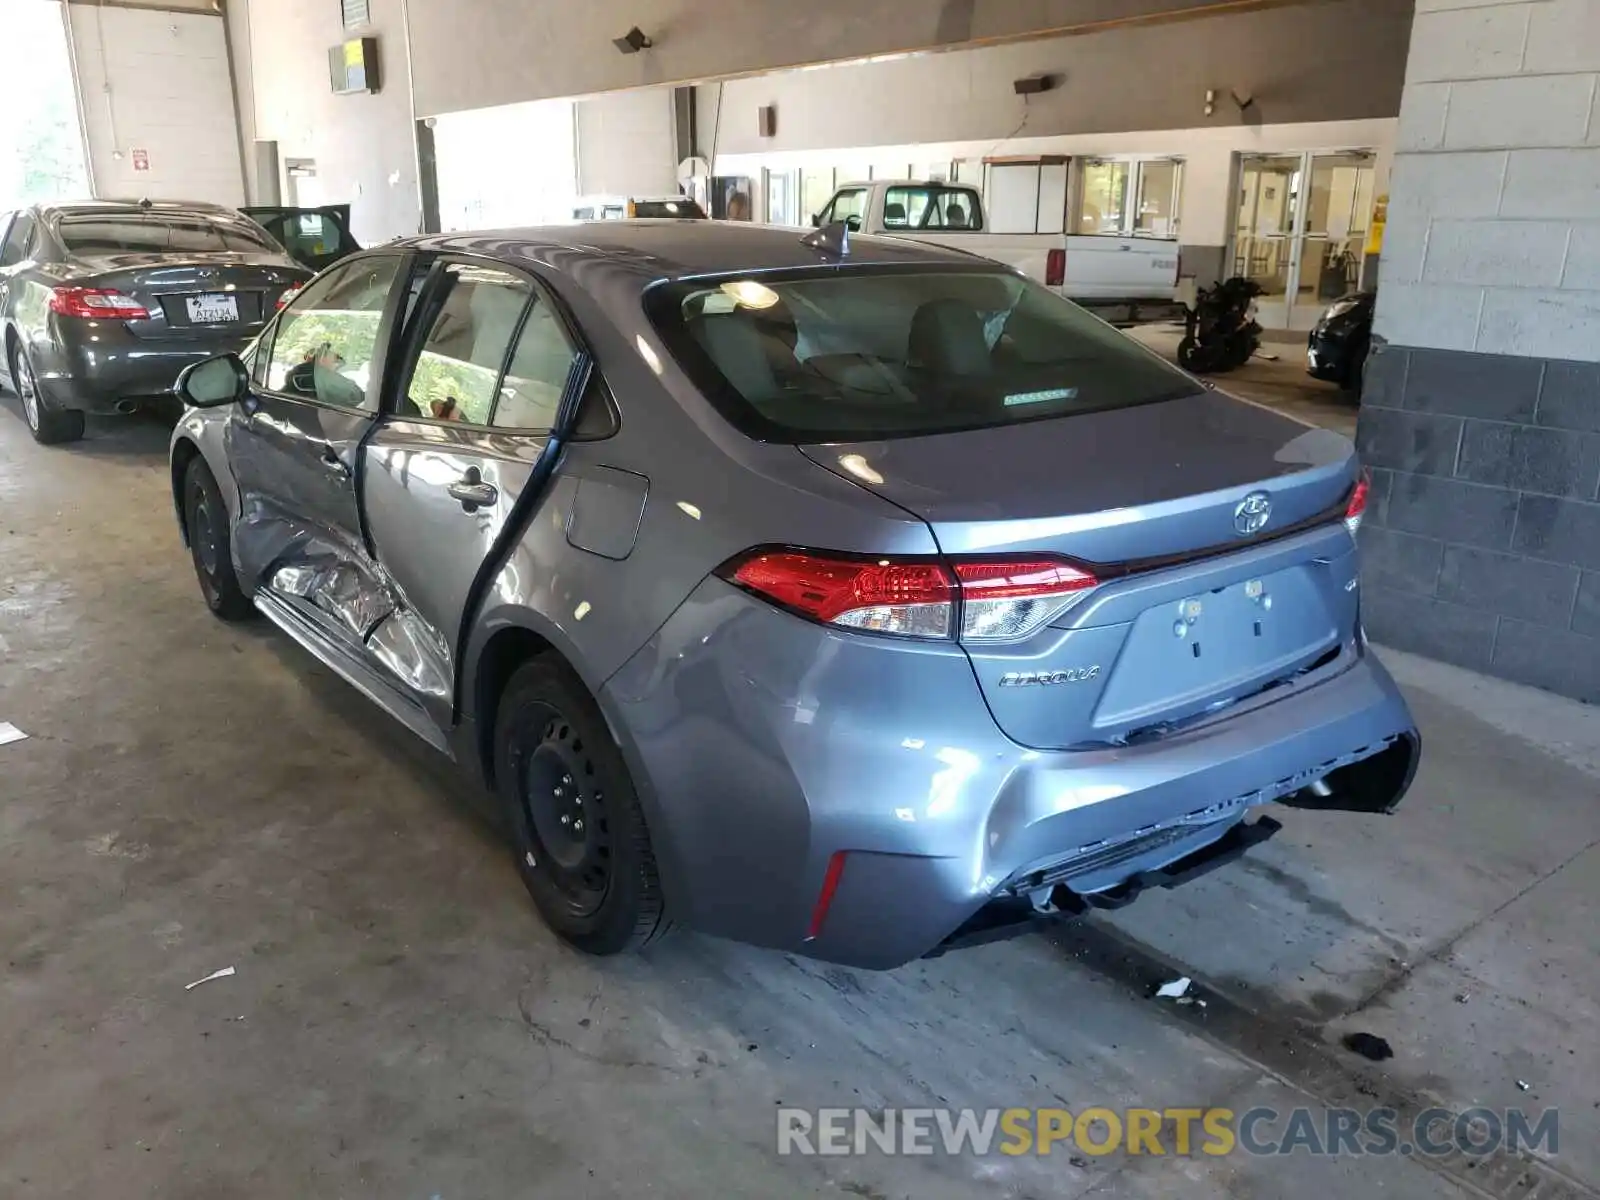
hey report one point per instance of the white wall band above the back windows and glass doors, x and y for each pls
(1207, 207)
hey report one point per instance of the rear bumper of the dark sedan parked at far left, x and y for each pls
(95, 377)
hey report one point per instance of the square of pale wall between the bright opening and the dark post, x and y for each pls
(625, 145)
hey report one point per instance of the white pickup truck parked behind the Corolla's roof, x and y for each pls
(1127, 281)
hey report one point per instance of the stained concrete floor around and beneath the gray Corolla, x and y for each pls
(196, 796)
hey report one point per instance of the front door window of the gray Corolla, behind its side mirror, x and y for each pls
(326, 342)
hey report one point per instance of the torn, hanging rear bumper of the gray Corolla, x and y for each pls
(766, 746)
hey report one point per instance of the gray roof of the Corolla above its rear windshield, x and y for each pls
(660, 250)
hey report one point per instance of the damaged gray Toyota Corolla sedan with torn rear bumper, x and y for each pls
(852, 598)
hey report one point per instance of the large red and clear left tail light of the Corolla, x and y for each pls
(983, 599)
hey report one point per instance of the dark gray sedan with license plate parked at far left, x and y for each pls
(105, 303)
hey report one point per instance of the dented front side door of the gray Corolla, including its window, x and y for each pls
(295, 449)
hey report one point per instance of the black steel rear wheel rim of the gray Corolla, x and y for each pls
(567, 815)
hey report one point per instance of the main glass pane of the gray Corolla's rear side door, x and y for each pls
(462, 358)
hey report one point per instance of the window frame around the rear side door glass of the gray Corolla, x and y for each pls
(422, 322)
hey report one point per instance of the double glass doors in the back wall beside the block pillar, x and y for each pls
(1302, 231)
